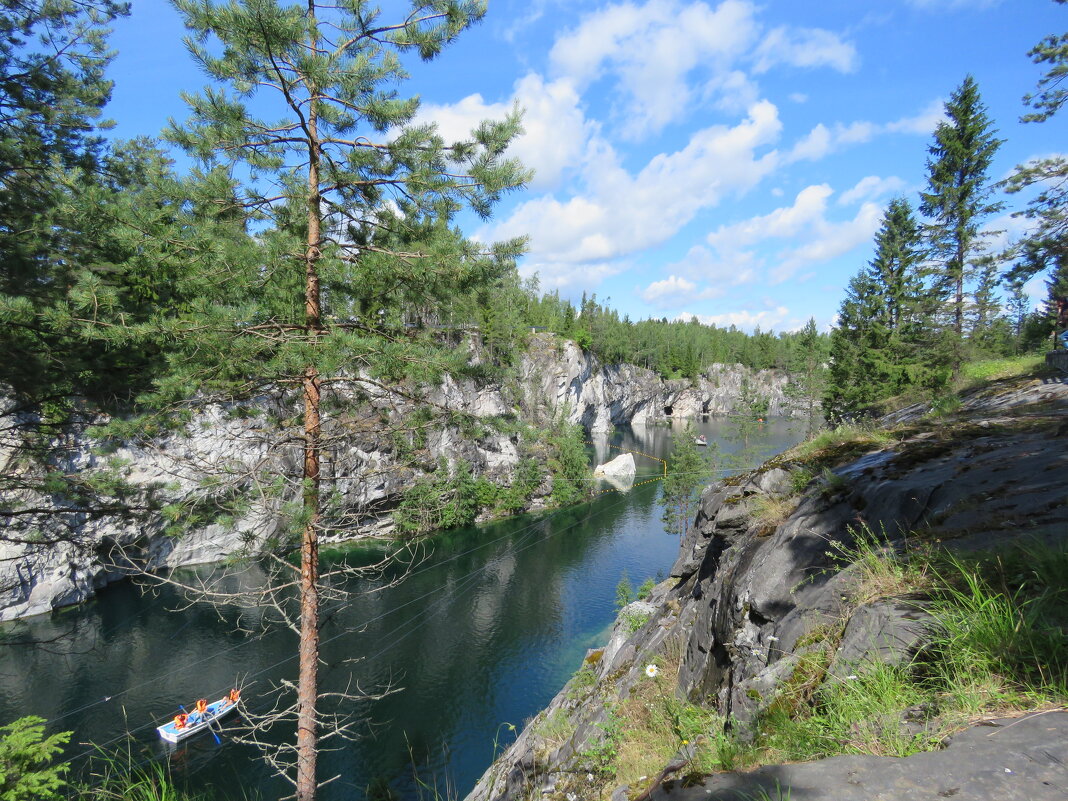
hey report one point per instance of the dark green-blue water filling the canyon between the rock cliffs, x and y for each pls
(478, 639)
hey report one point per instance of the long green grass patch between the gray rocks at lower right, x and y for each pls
(999, 648)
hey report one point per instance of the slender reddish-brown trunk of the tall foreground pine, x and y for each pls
(308, 671)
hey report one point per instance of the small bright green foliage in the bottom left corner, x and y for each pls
(27, 773)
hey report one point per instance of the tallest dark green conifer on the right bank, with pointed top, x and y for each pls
(959, 198)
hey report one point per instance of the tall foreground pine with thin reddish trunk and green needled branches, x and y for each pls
(353, 206)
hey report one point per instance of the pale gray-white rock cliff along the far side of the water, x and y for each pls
(57, 558)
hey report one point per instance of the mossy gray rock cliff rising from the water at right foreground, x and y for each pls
(761, 607)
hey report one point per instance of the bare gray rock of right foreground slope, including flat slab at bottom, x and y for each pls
(751, 595)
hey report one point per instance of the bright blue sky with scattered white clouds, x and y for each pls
(721, 160)
